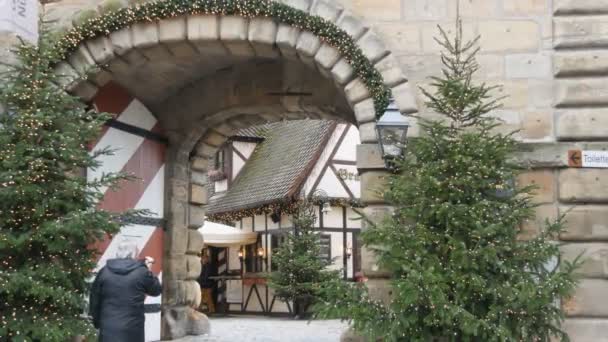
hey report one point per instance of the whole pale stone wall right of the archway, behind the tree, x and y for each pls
(552, 59)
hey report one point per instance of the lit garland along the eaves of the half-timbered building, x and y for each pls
(288, 207)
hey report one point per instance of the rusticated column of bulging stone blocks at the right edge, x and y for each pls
(580, 98)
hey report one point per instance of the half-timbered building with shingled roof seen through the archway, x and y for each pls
(259, 176)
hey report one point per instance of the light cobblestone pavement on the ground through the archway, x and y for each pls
(265, 329)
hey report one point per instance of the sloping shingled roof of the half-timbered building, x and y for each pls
(278, 167)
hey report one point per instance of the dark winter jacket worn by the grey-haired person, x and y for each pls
(117, 300)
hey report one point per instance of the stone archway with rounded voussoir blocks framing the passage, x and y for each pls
(204, 75)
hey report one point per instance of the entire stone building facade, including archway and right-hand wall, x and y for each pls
(551, 56)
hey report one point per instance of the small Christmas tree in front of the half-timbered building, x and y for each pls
(300, 271)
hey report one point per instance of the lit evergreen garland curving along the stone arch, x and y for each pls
(327, 31)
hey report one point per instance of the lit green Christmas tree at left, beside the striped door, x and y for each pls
(48, 215)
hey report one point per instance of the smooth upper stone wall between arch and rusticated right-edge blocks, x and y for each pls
(515, 52)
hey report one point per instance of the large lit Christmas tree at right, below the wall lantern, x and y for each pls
(460, 271)
